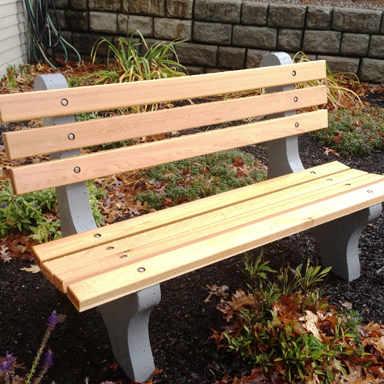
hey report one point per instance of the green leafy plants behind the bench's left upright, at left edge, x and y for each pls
(36, 212)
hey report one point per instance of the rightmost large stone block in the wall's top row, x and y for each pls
(356, 20)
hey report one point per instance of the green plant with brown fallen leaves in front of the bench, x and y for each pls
(285, 326)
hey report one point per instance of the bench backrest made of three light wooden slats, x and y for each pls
(67, 137)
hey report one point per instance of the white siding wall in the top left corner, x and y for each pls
(13, 48)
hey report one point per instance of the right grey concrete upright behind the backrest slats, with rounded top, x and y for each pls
(283, 154)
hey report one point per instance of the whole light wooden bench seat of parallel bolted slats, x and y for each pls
(104, 264)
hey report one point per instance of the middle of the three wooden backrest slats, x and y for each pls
(55, 138)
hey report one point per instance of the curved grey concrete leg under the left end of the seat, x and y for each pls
(127, 323)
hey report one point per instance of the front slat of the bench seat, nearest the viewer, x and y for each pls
(117, 283)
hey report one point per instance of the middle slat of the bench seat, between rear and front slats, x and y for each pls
(98, 260)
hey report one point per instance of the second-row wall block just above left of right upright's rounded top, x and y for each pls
(254, 37)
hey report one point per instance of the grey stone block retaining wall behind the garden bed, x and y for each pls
(232, 34)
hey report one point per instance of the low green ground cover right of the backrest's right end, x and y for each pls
(354, 132)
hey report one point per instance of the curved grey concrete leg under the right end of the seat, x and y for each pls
(338, 241)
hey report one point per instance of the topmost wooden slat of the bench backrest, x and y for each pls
(48, 103)
